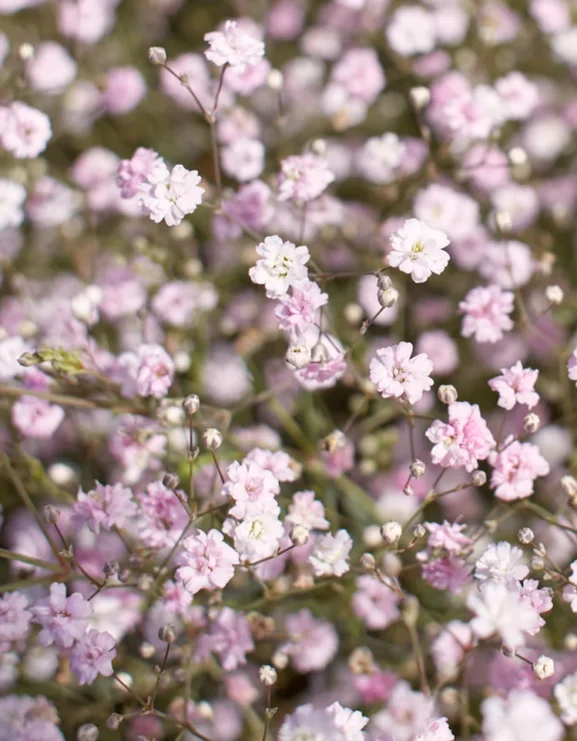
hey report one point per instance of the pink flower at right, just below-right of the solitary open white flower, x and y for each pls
(486, 311)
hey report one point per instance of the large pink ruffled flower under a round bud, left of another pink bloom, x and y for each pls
(464, 440)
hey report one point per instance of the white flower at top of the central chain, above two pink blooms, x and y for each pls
(282, 265)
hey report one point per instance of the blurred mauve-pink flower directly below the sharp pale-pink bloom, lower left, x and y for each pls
(228, 636)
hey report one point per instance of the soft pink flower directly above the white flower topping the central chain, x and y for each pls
(303, 177)
